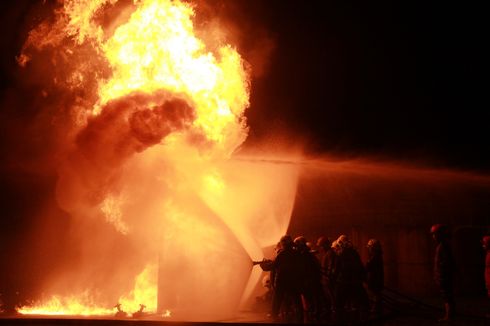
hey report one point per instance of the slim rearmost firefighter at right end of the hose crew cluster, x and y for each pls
(375, 274)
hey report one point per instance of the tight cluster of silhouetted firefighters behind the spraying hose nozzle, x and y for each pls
(324, 282)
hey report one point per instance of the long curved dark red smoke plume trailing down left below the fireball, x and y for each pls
(124, 127)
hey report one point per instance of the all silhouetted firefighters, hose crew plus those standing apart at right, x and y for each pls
(327, 282)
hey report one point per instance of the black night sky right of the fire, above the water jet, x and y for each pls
(398, 80)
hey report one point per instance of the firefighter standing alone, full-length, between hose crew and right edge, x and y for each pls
(443, 269)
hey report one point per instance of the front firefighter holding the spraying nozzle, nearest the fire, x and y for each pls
(287, 282)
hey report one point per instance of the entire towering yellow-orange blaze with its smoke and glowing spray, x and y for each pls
(156, 115)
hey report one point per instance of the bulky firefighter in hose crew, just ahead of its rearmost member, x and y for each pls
(349, 275)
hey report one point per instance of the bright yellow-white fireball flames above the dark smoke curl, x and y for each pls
(156, 49)
